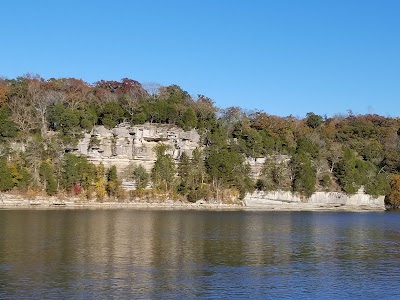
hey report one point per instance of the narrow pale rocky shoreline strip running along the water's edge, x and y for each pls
(53, 204)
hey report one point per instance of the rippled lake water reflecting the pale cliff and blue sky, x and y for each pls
(126, 254)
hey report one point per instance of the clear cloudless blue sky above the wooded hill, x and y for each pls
(280, 56)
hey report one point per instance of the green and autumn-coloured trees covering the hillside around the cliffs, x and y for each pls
(40, 119)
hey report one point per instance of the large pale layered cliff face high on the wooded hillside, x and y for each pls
(125, 144)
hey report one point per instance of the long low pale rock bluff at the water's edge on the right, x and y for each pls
(327, 199)
